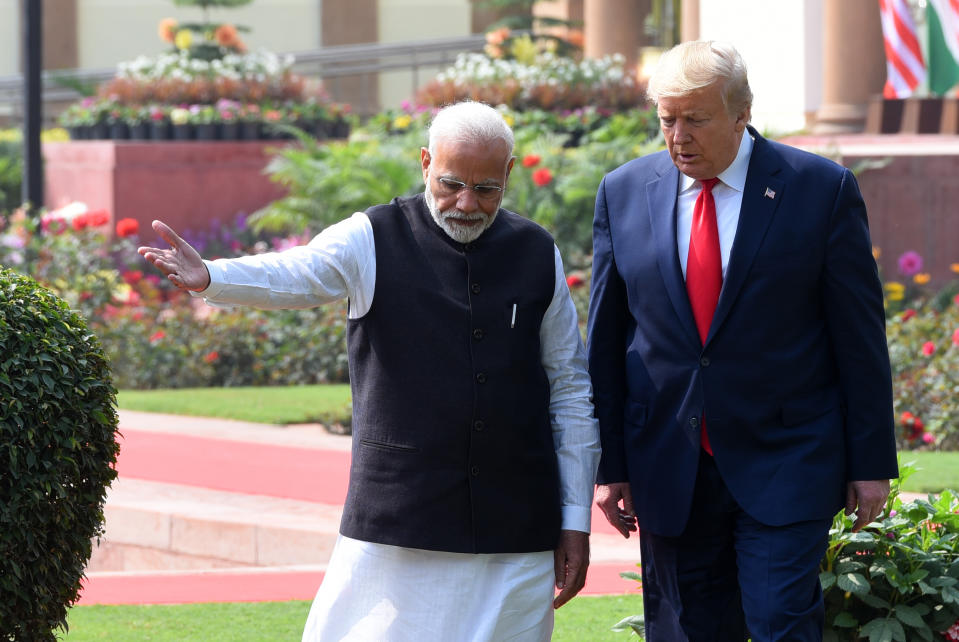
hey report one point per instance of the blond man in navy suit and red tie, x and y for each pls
(738, 356)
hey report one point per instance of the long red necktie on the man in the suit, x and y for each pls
(704, 269)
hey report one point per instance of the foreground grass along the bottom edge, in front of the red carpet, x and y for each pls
(585, 618)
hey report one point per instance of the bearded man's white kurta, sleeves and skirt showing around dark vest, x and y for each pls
(379, 592)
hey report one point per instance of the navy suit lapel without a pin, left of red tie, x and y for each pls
(661, 205)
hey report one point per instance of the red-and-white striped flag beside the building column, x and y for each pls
(905, 68)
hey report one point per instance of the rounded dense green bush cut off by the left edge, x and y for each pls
(57, 454)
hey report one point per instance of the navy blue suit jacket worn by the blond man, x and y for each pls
(794, 377)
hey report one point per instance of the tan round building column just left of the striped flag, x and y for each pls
(853, 64)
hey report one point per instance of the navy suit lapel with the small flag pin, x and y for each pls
(761, 197)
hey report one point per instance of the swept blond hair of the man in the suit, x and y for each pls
(699, 63)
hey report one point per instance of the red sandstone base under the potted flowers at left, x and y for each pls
(189, 185)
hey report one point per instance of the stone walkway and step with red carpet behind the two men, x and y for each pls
(208, 510)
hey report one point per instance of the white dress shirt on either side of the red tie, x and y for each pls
(728, 194)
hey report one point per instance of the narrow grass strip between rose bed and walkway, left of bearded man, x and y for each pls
(324, 404)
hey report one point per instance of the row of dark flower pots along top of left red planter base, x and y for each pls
(226, 119)
